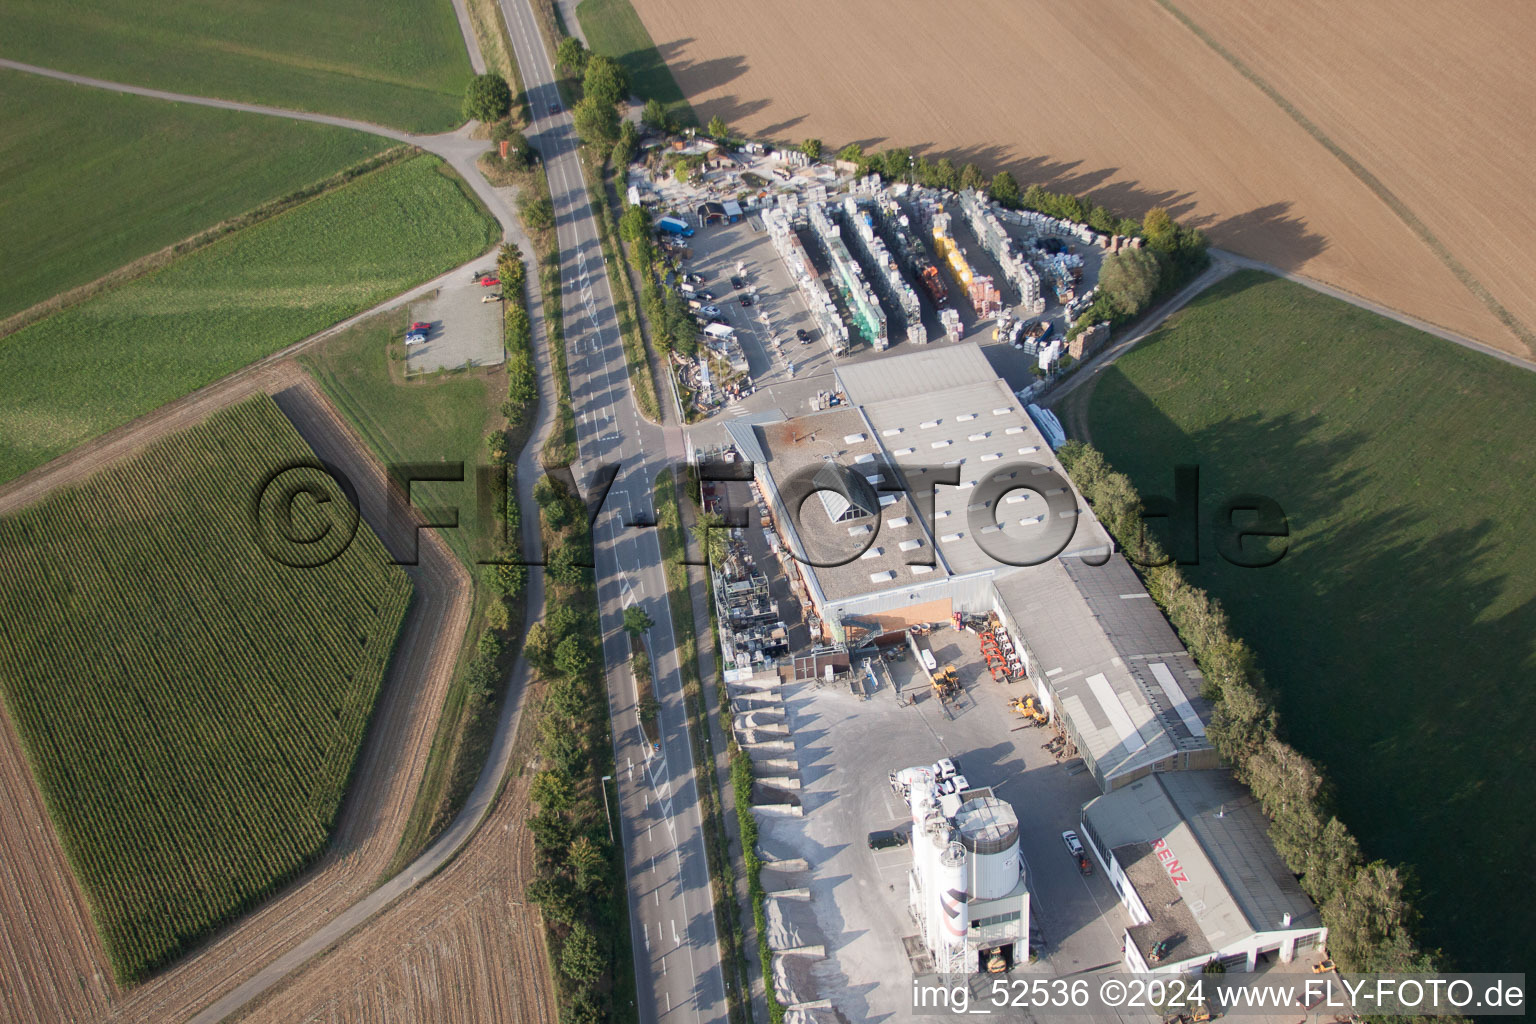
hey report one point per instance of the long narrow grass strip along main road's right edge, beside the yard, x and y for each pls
(717, 844)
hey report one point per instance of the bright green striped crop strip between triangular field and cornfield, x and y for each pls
(128, 352)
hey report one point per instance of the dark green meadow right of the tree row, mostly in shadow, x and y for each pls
(1397, 646)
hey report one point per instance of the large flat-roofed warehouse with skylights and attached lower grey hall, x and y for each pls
(884, 549)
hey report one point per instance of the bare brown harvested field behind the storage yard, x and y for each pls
(1380, 148)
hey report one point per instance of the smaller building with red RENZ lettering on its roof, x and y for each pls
(1191, 859)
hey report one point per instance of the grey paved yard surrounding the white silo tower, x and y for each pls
(847, 745)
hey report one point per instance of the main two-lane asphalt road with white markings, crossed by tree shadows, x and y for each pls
(677, 950)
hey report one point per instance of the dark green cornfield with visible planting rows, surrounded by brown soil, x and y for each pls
(191, 707)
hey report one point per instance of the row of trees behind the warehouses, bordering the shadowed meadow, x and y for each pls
(1365, 905)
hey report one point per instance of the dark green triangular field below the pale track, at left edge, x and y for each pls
(96, 180)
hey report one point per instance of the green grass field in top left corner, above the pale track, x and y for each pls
(389, 62)
